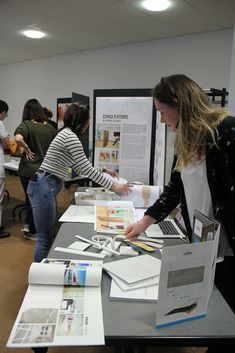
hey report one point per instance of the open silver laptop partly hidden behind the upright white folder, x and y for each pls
(169, 228)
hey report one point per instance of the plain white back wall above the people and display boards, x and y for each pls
(204, 57)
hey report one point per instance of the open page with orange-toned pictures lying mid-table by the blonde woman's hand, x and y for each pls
(113, 219)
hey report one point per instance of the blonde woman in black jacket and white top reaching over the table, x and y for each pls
(203, 171)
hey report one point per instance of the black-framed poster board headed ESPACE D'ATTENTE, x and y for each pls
(124, 134)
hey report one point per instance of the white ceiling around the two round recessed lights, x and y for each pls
(78, 25)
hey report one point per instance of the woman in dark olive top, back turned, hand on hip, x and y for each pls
(34, 136)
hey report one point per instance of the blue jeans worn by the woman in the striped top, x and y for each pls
(42, 194)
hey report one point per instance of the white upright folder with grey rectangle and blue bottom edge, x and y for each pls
(186, 281)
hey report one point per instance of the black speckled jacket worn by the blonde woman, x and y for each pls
(220, 165)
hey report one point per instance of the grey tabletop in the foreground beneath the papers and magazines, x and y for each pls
(128, 323)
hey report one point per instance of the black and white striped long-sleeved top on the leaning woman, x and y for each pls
(65, 152)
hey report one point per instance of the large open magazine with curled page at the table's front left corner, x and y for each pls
(62, 306)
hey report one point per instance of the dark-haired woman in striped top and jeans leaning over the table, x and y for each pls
(65, 152)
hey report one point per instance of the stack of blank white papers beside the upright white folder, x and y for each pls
(134, 278)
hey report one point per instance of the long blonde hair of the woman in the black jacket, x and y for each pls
(197, 119)
